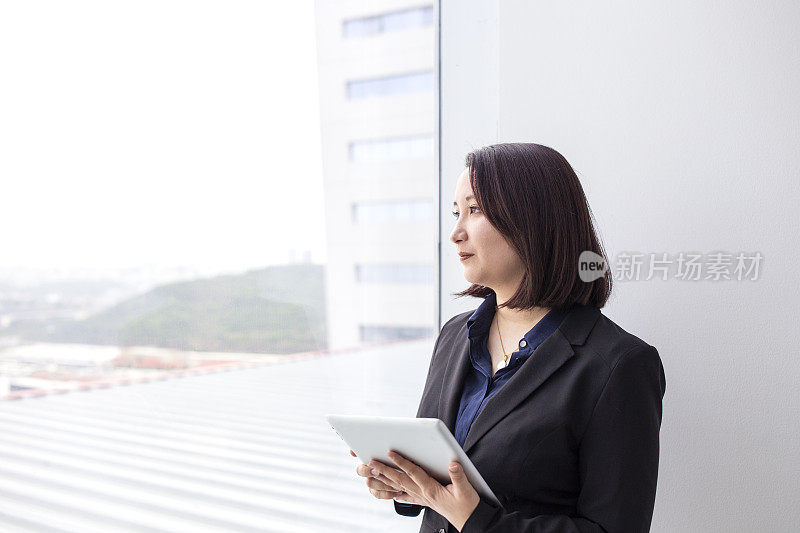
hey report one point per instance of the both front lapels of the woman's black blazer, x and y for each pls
(546, 359)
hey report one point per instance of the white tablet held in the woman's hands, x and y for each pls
(425, 441)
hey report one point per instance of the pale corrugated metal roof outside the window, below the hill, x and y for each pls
(239, 450)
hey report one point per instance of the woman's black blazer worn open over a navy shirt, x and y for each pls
(570, 443)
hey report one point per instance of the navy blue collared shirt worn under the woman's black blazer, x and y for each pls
(479, 384)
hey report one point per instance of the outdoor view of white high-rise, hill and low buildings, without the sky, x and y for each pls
(378, 101)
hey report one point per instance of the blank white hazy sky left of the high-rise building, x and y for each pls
(169, 132)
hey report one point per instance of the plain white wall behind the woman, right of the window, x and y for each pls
(682, 122)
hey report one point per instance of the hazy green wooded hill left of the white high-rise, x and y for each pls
(279, 309)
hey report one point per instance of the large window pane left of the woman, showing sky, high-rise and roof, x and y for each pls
(200, 260)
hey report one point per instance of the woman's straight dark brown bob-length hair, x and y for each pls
(532, 196)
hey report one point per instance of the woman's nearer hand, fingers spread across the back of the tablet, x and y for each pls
(455, 502)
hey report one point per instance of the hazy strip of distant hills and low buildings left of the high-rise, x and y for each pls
(43, 345)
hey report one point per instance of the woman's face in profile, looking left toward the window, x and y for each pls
(494, 262)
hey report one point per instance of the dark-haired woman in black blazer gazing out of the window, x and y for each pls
(557, 406)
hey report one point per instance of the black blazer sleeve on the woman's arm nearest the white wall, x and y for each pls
(618, 459)
